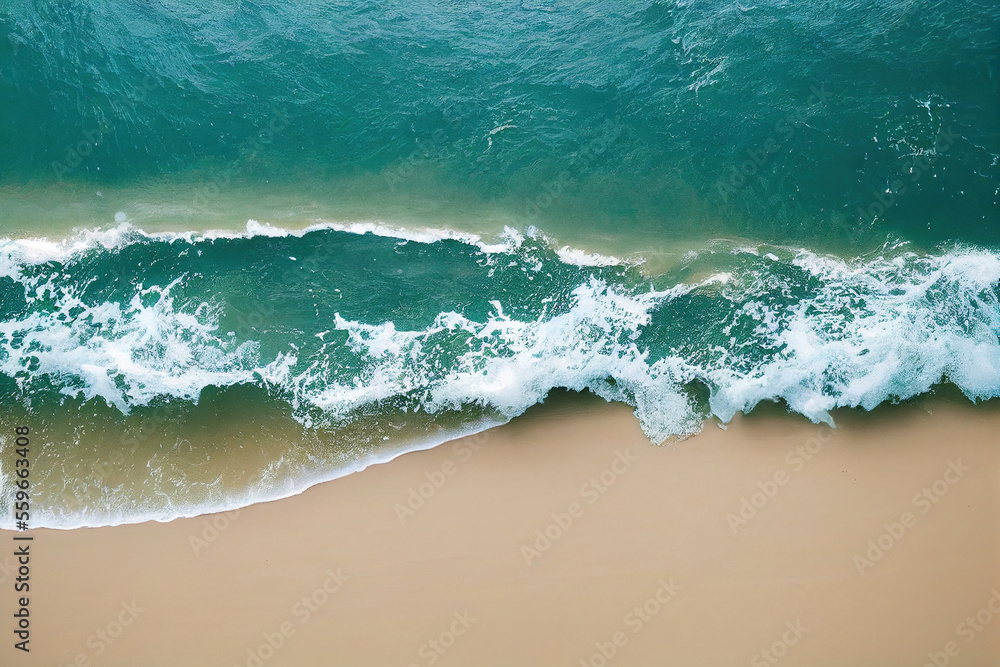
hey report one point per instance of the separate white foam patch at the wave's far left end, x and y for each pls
(127, 354)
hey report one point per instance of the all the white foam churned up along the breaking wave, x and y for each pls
(856, 333)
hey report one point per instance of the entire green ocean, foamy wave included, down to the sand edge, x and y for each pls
(245, 247)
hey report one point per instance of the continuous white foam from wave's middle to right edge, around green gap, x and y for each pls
(872, 332)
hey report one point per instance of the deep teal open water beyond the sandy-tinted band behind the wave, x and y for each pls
(642, 113)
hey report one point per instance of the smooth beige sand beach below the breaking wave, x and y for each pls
(654, 568)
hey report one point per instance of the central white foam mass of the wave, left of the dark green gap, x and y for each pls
(517, 363)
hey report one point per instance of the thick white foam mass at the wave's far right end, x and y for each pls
(875, 331)
